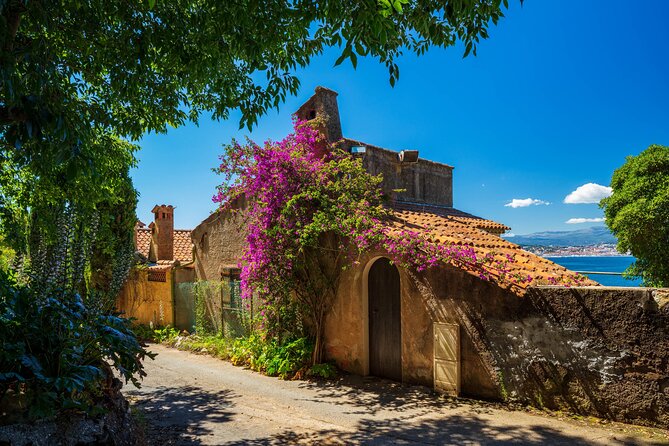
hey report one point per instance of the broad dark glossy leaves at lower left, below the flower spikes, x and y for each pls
(57, 350)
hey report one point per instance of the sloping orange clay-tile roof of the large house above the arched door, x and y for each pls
(464, 231)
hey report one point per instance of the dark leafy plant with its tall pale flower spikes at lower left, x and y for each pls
(58, 336)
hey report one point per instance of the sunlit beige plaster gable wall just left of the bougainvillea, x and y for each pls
(219, 242)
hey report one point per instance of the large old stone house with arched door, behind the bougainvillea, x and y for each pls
(590, 349)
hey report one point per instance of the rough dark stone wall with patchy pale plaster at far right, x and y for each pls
(597, 350)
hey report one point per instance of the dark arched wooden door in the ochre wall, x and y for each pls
(385, 333)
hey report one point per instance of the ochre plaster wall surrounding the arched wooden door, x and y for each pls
(423, 301)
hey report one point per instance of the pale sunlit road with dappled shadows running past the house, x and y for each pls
(193, 399)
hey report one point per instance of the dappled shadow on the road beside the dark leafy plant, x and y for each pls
(179, 415)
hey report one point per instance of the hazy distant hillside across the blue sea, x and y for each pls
(581, 237)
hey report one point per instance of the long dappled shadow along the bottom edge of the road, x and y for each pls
(454, 430)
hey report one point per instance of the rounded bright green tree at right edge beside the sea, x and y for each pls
(638, 213)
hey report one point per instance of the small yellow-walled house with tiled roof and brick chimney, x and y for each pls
(158, 292)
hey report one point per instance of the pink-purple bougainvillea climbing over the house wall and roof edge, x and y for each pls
(301, 202)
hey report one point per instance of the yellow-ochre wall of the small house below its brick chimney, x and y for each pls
(147, 301)
